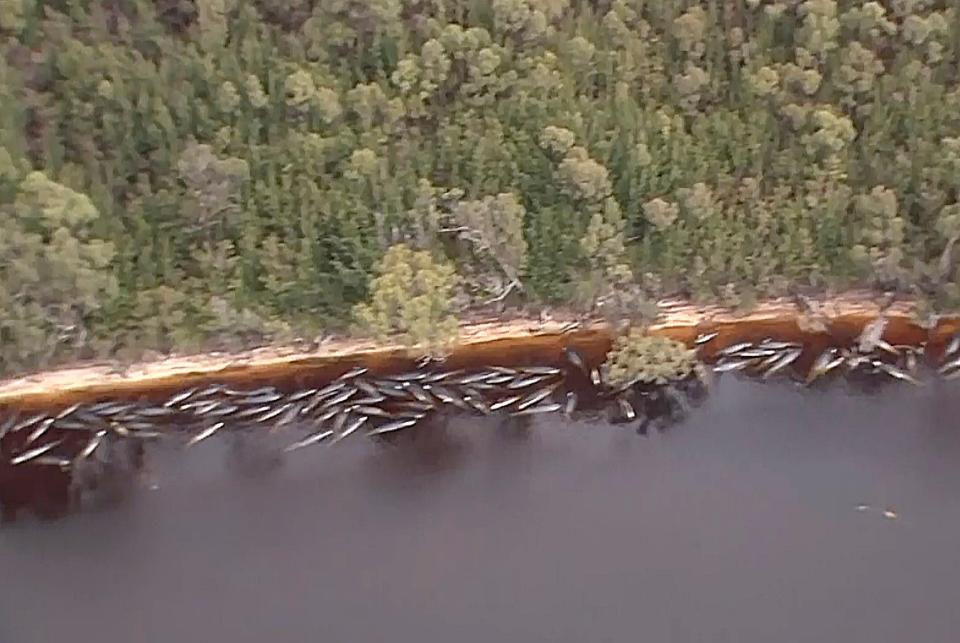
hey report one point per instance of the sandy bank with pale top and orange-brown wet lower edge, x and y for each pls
(480, 342)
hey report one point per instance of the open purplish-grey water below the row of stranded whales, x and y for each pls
(739, 525)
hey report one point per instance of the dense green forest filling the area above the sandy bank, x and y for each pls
(187, 174)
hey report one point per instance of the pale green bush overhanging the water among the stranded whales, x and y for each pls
(649, 359)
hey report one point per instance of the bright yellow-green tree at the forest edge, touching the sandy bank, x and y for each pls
(411, 301)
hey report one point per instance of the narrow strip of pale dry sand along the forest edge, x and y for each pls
(675, 315)
